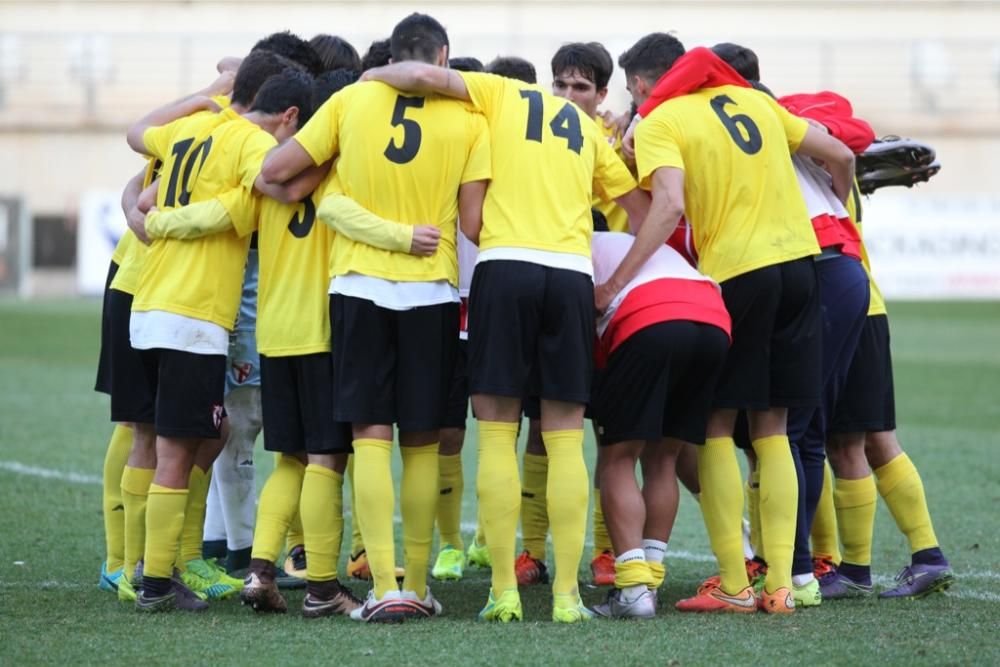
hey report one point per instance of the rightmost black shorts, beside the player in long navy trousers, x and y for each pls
(867, 402)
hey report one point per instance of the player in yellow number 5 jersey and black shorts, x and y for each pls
(417, 160)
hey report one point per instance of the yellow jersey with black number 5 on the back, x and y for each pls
(403, 158)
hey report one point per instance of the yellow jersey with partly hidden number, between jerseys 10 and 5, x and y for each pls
(293, 246)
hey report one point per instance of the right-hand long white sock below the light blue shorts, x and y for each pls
(234, 468)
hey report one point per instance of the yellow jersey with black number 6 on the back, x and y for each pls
(741, 196)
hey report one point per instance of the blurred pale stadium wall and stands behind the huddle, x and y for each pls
(74, 75)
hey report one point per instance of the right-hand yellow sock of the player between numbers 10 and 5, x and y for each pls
(322, 511)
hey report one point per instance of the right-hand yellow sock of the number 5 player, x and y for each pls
(418, 499)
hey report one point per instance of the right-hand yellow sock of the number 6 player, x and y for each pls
(779, 505)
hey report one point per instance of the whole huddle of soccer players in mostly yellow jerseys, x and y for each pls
(302, 258)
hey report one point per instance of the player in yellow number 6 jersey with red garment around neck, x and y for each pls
(754, 238)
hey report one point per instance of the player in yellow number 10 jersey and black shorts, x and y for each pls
(182, 331)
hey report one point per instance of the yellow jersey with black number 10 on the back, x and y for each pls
(204, 156)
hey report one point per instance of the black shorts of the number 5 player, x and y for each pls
(392, 366)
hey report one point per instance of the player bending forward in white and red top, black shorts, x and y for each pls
(664, 339)
